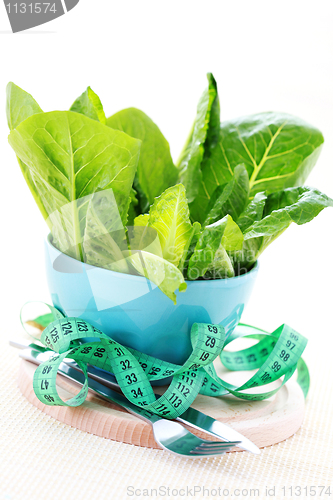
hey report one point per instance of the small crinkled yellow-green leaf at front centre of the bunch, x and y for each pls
(169, 215)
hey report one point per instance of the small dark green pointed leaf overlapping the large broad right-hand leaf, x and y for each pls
(231, 198)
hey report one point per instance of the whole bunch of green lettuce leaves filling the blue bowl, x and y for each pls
(237, 186)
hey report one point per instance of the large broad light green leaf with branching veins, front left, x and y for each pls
(73, 156)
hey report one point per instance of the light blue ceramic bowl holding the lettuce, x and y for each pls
(134, 312)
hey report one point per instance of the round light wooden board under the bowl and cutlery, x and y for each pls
(263, 422)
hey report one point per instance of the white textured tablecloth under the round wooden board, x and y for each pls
(43, 458)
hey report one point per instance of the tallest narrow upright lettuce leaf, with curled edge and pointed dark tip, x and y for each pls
(203, 136)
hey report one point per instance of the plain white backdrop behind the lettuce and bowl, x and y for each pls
(154, 55)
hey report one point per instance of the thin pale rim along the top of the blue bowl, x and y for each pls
(134, 277)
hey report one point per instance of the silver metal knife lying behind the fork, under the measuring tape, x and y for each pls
(191, 417)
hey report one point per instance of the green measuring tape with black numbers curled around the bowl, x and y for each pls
(274, 355)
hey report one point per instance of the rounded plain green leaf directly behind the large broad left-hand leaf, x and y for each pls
(156, 171)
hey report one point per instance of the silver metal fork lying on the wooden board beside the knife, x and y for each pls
(170, 435)
